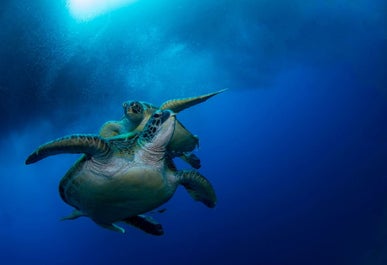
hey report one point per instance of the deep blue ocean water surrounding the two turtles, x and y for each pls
(296, 148)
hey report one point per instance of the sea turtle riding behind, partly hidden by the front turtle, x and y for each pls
(137, 113)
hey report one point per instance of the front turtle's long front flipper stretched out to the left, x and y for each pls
(74, 144)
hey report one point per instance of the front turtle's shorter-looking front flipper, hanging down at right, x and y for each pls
(197, 186)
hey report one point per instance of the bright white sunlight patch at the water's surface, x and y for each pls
(88, 9)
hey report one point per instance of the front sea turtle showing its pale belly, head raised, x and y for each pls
(121, 178)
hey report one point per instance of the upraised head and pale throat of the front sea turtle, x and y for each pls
(159, 129)
